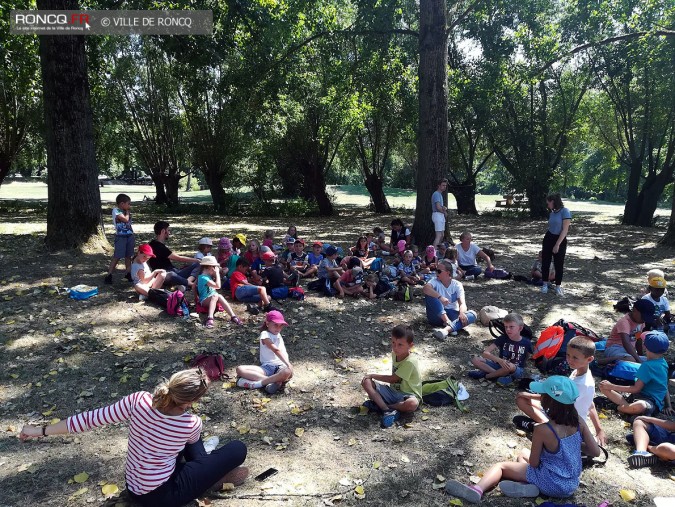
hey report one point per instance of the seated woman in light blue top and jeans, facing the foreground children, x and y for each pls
(445, 304)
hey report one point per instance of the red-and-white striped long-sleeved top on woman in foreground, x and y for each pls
(155, 439)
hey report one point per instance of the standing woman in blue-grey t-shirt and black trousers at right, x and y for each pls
(554, 245)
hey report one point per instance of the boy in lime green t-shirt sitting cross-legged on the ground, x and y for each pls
(404, 392)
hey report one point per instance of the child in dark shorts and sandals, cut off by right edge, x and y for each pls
(654, 440)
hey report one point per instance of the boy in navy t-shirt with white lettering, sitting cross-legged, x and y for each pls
(513, 353)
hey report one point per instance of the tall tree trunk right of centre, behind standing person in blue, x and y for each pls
(433, 112)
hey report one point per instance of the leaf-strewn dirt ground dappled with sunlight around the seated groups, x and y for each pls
(62, 356)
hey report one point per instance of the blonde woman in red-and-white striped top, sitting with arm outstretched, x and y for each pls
(161, 432)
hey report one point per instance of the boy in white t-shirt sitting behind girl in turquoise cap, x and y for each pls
(580, 352)
